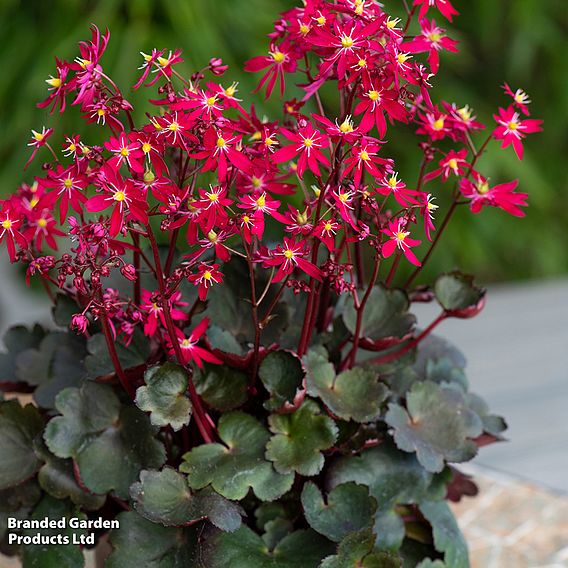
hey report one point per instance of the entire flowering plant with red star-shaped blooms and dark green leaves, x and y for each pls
(243, 383)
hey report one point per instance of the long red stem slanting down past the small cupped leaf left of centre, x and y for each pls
(201, 419)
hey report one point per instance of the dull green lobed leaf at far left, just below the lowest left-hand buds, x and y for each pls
(57, 363)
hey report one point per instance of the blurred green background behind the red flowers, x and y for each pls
(523, 42)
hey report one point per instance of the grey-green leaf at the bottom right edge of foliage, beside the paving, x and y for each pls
(447, 535)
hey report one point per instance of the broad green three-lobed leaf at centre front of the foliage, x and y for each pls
(238, 464)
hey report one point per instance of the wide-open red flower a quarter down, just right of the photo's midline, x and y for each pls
(307, 144)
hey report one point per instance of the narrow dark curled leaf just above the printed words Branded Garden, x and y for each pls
(56, 477)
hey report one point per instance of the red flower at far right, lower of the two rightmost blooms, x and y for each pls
(502, 196)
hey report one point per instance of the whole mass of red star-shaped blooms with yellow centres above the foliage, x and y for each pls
(215, 174)
